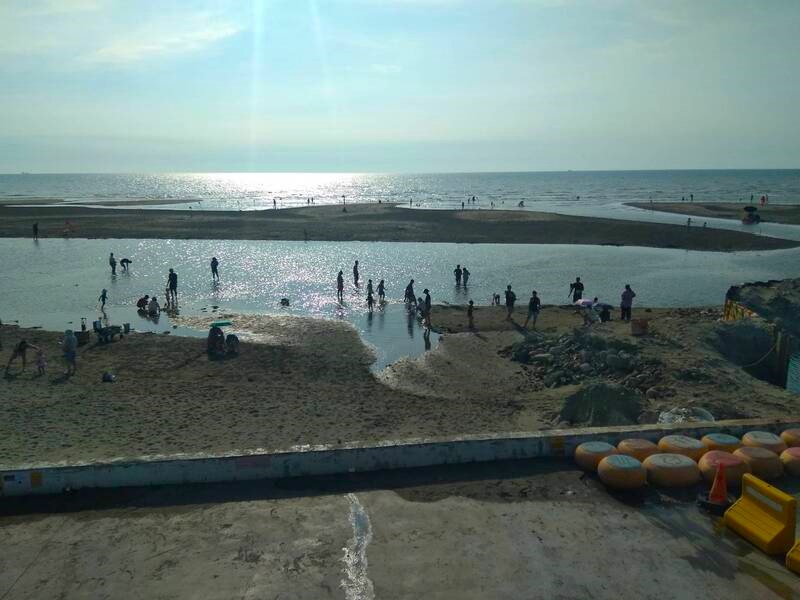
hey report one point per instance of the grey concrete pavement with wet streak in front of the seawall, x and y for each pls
(521, 529)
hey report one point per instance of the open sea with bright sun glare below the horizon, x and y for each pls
(252, 191)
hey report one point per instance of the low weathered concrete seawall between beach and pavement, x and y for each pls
(22, 480)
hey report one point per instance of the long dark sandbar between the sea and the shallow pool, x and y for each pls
(372, 222)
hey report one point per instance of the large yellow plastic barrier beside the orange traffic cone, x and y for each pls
(763, 515)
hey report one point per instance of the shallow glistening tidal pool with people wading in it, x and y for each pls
(54, 282)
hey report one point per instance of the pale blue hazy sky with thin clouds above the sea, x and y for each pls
(398, 85)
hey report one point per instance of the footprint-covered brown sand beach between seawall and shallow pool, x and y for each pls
(307, 381)
